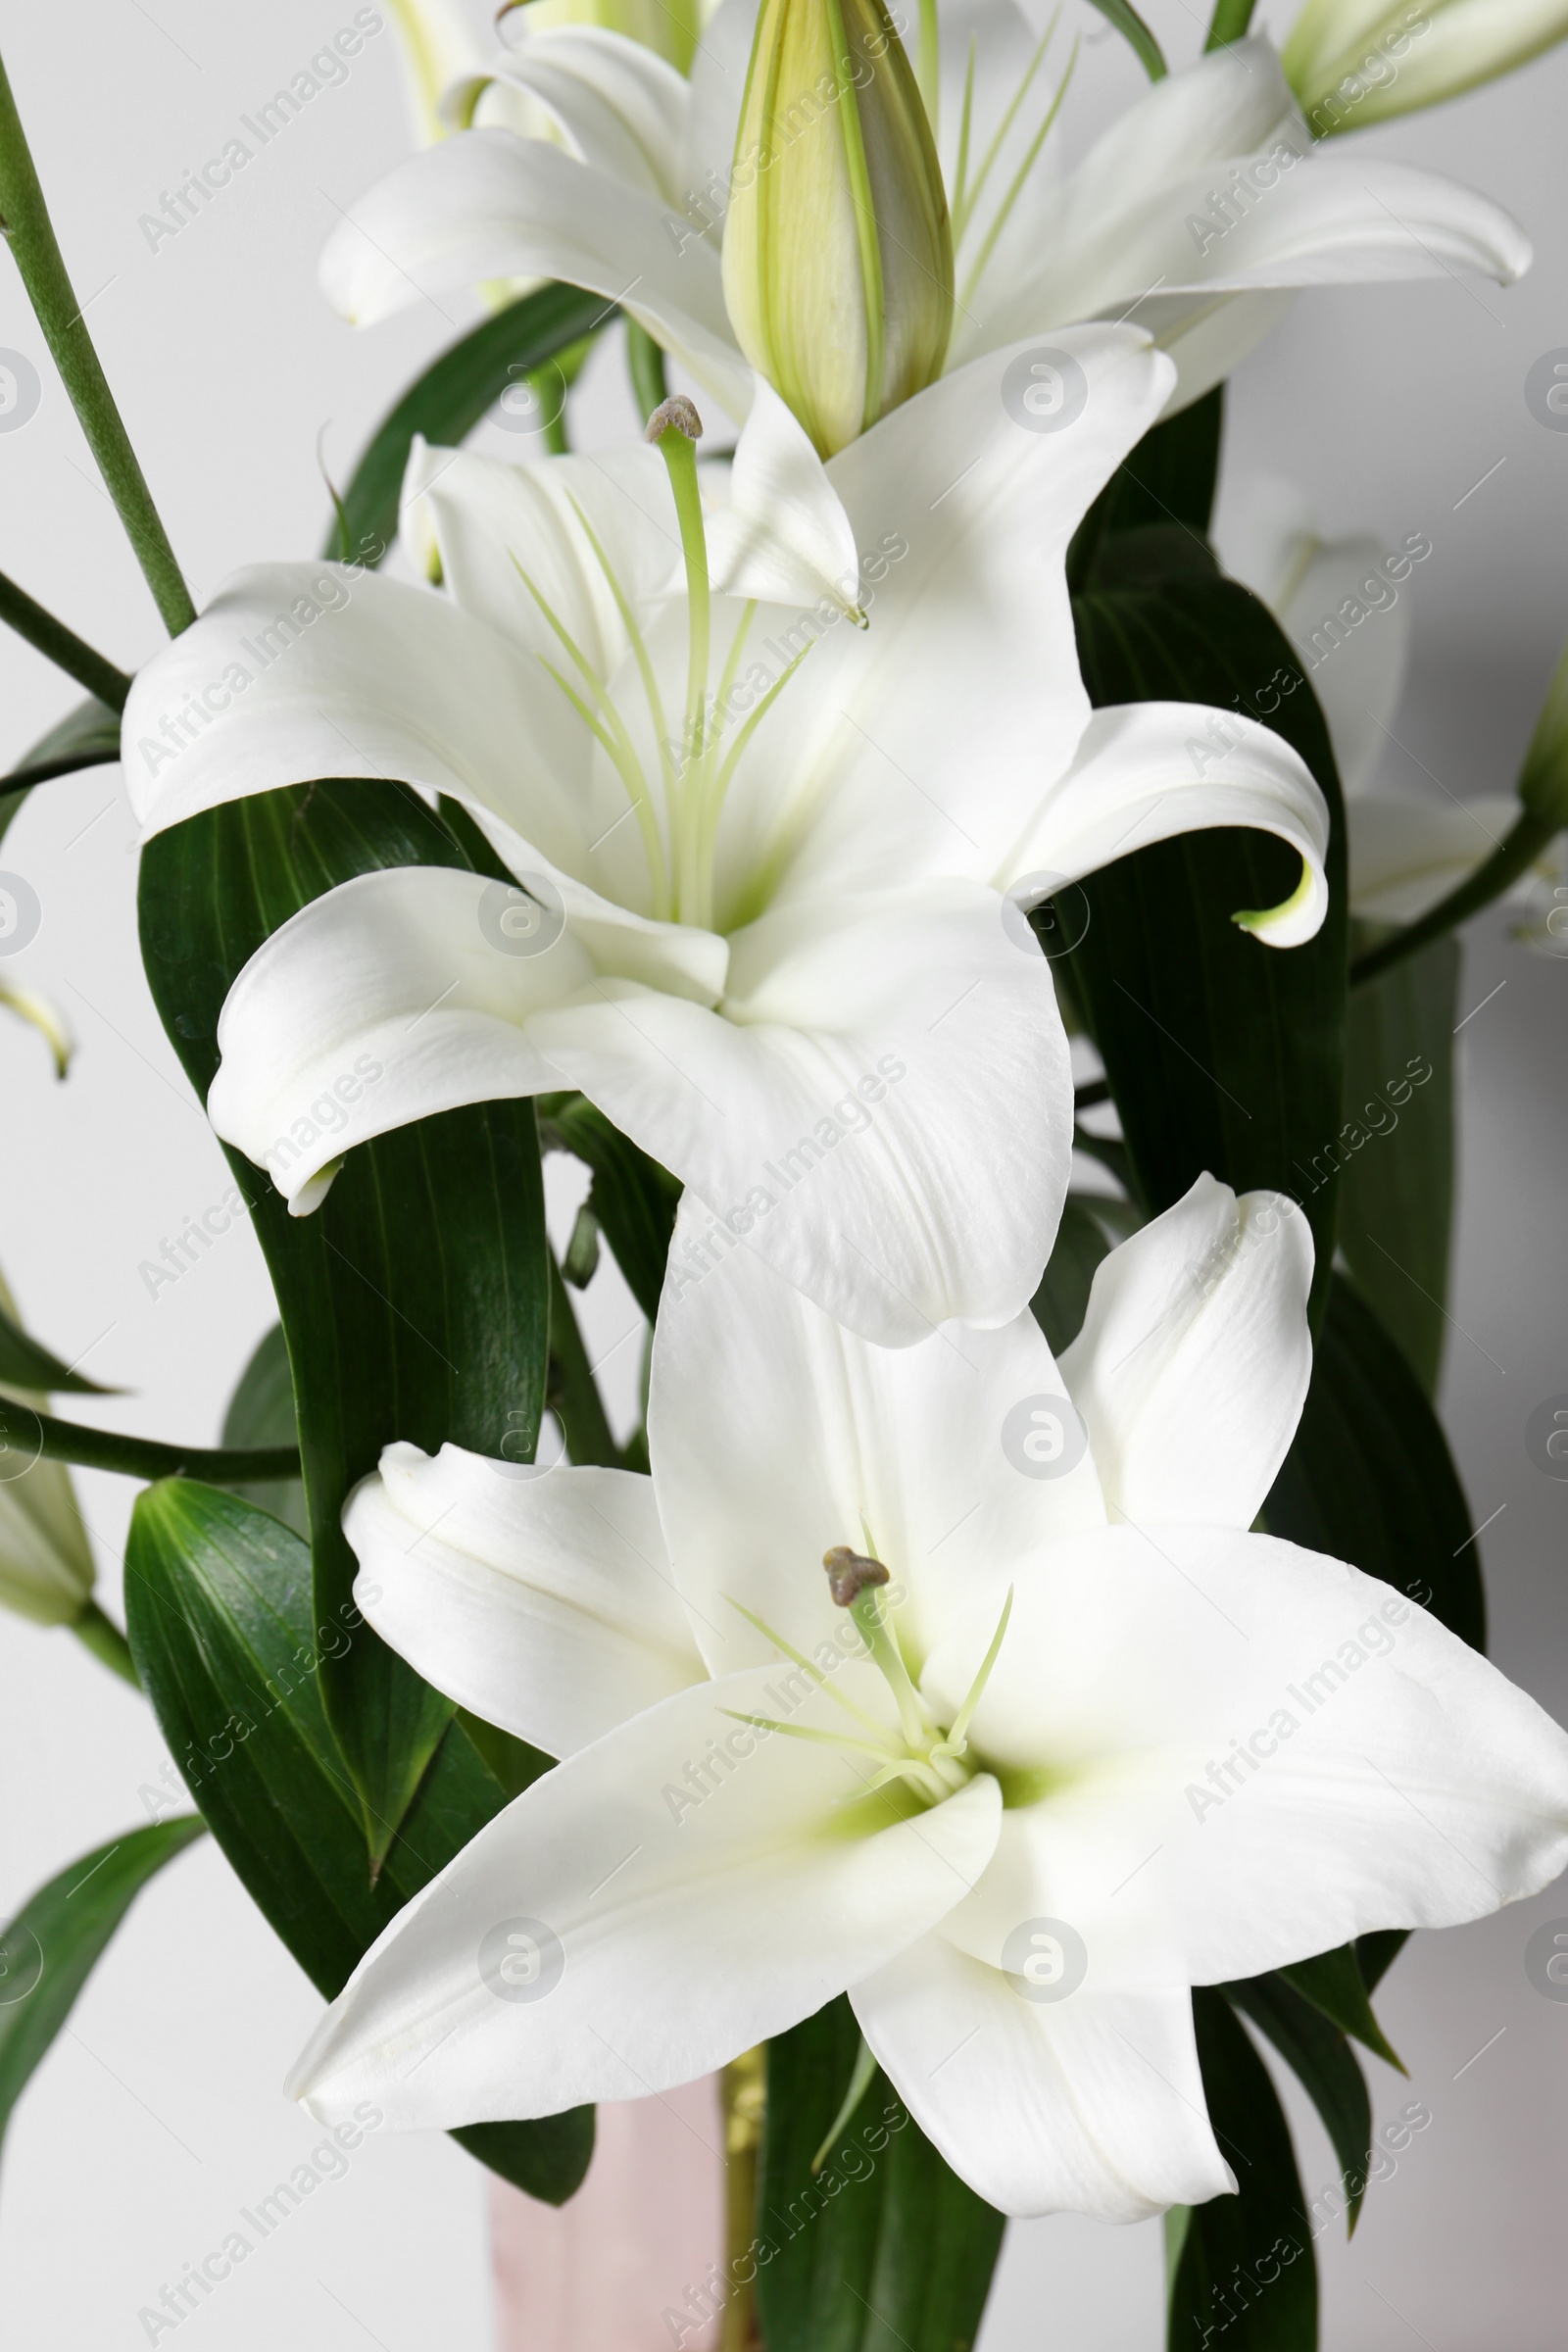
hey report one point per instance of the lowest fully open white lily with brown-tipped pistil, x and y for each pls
(1078, 1744)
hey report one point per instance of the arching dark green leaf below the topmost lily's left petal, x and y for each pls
(450, 401)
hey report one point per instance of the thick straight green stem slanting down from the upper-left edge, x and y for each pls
(25, 218)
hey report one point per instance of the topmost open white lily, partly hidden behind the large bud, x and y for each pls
(1198, 215)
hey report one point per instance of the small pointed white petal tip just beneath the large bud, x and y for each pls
(784, 535)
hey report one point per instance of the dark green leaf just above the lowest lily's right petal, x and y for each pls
(1372, 1481)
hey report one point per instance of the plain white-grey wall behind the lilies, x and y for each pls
(159, 2113)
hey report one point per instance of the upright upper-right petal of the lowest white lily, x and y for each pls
(1193, 1363)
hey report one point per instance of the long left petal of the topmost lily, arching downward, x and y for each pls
(497, 206)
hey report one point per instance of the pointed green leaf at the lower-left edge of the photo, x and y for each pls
(58, 1937)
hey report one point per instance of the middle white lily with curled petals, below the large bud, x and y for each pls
(763, 850)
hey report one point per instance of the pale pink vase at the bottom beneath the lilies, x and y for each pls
(631, 2264)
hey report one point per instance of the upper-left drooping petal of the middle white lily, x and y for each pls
(373, 681)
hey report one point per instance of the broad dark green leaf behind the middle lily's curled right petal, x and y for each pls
(1224, 1055)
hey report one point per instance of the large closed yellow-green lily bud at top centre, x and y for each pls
(838, 253)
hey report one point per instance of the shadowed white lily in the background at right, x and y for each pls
(1341, 606)
